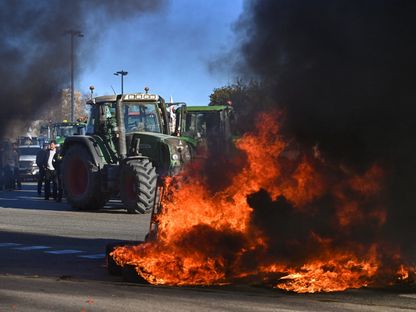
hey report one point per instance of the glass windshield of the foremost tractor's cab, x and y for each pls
(141, 117)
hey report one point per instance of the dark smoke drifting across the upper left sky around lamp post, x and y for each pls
(35, 53)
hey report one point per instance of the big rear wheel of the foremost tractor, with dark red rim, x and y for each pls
(81, 179)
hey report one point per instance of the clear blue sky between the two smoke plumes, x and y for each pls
(169, 51)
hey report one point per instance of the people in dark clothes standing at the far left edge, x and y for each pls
(9, 167)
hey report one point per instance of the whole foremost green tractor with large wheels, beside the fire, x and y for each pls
(127, 149)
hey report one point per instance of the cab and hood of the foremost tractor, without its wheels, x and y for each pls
(144, 125)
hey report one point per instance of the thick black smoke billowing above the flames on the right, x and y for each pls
(344, 74)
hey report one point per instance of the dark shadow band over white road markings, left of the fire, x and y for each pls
(30, 254)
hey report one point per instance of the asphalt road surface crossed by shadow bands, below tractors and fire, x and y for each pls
(52, 259)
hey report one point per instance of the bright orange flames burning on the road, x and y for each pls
(207, 238)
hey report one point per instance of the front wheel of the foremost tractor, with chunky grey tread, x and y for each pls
(138, 180)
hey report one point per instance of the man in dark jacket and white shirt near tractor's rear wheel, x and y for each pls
(49, 162)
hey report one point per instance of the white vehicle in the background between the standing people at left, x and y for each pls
(28, 170)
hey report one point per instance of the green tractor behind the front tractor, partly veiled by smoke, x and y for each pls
(205, 128)
